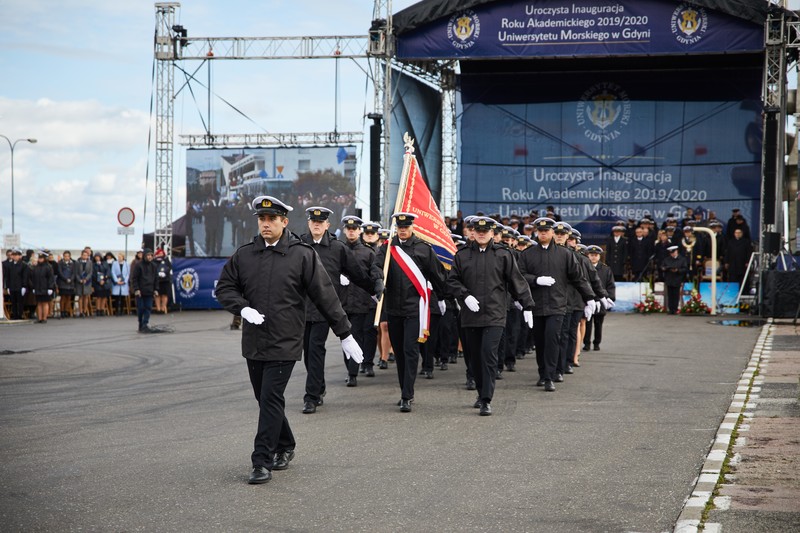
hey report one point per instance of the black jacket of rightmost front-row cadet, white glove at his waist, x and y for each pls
(560, 264)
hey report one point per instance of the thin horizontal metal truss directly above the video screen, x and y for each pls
(282, 140)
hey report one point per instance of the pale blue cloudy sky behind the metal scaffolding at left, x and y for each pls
(77, 77)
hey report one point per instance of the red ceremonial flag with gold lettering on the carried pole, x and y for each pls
(429, 224)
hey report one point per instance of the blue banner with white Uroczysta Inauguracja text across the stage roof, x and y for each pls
(559, 28)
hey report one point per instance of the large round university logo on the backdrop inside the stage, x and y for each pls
(603, 110)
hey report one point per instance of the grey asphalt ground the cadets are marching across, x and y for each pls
(104, 429)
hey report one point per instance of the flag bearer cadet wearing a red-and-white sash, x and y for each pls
(412, 266)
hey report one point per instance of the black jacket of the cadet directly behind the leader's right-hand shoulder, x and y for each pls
(337, 259)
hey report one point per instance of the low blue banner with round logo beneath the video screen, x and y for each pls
(195, 280)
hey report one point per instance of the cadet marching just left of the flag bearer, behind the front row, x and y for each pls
(357, 302)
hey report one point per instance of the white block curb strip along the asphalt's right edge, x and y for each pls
(691, 515)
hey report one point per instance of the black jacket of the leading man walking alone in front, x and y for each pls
(277, 281)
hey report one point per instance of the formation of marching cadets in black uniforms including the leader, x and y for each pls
(505, 296)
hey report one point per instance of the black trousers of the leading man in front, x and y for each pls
(274, 435)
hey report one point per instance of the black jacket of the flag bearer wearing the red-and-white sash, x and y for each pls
(401, 298)
